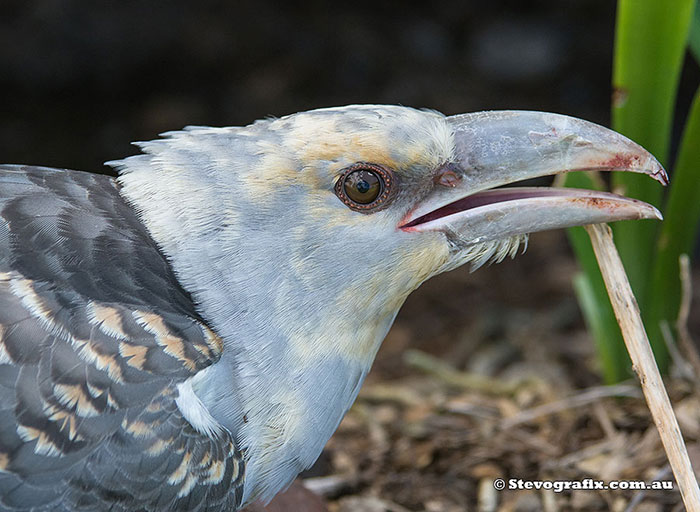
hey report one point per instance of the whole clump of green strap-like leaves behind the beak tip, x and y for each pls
(651, 43)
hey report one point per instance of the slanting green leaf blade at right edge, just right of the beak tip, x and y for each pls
(680, 228)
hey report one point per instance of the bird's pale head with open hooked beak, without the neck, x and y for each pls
(366, 202)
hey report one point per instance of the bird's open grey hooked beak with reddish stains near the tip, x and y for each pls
(502, 147)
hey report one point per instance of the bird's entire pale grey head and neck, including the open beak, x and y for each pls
(301, 237)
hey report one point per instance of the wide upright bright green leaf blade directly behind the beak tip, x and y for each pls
(650, 44)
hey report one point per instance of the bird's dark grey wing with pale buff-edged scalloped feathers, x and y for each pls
(96, 334)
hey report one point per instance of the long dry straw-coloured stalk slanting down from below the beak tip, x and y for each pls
(627, 314)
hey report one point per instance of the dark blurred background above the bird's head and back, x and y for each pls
(79, 79)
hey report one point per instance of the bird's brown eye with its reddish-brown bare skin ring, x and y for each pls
(365, 187)
